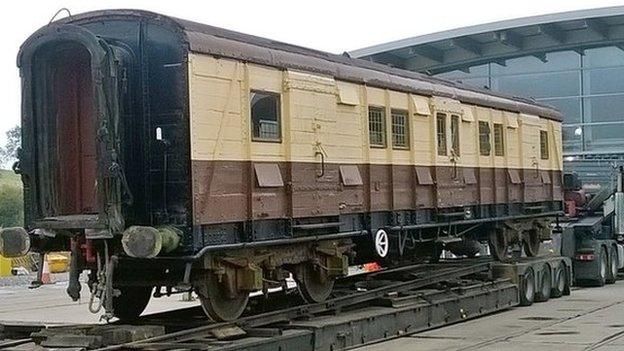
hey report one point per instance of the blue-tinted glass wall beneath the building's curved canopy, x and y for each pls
(588, 89)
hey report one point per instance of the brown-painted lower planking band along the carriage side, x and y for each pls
(235, 191)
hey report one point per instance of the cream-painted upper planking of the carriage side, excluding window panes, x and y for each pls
(328, 116)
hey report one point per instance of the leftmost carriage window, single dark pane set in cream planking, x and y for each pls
(265, 116)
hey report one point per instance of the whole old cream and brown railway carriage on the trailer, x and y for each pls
(173, 155)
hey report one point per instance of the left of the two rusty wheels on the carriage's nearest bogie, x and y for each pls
(218, 304)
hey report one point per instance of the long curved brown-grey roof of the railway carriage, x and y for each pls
(225, 43)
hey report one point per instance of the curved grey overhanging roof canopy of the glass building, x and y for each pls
(499, 41)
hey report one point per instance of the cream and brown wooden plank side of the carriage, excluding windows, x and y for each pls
(320, 115)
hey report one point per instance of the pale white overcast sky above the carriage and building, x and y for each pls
(330, 25)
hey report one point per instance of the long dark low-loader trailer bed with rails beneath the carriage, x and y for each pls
(367, 309)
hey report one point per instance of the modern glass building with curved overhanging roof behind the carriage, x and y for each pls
(573, 61)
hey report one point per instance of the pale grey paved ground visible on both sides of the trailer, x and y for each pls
(589, 319)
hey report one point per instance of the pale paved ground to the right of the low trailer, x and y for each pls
(588, 319)
